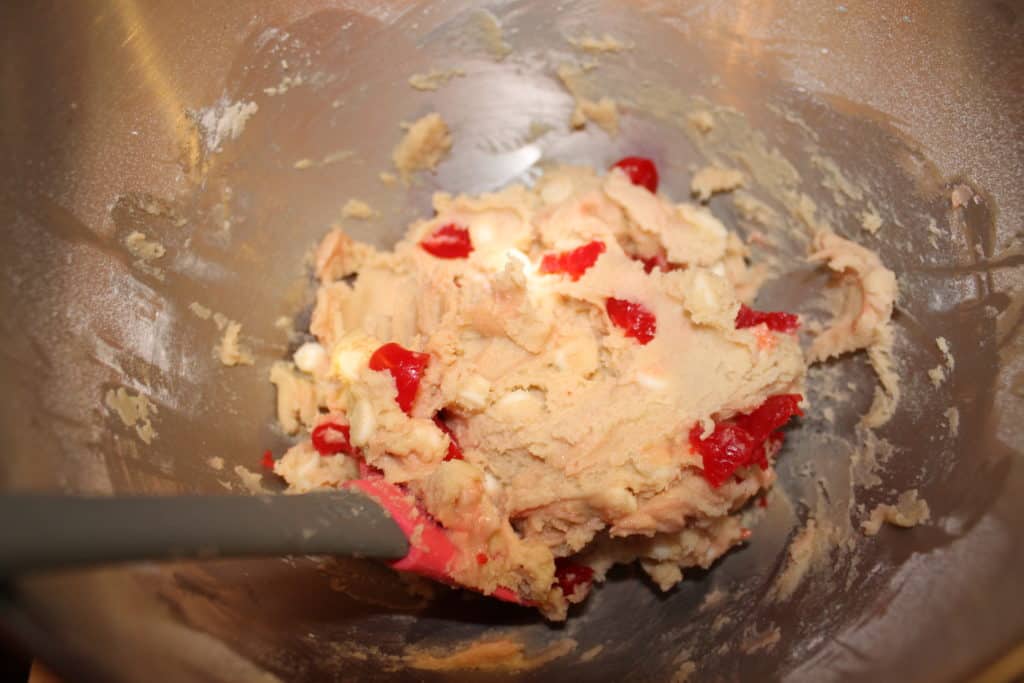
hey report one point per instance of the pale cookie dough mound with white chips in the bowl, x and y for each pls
(576, 437)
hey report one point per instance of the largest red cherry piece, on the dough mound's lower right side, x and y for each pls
(741, 442)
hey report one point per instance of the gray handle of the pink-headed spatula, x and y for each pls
(42, 533)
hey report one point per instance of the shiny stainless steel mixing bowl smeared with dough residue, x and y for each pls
(104, 133)
